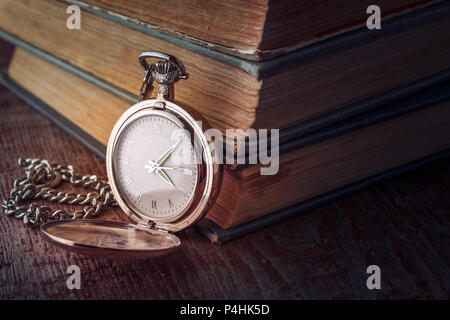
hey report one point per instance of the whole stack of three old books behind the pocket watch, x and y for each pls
(354, 105)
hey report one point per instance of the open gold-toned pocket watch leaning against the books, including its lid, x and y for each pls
(161, 169)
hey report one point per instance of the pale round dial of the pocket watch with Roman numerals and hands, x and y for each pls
(154, 167)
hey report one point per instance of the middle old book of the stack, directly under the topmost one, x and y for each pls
(278, 93)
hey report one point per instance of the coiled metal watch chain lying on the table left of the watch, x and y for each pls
(38, 183)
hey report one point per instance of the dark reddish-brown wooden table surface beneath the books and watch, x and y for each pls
(402, 226)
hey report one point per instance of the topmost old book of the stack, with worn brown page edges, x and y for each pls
(253, 30)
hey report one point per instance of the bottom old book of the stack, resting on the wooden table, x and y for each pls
(315, 164)
